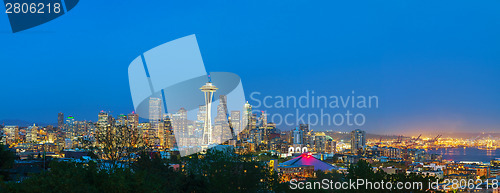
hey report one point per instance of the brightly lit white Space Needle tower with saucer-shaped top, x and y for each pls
(208, 89)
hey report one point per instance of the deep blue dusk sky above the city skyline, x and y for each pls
(433, 65)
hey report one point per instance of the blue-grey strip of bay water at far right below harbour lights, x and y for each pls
(466, 154)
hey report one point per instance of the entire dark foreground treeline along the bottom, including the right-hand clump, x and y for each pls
(215, 171)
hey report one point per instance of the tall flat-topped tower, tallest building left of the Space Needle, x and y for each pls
(155, 116)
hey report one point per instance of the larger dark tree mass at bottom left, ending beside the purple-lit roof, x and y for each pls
(215, 171)
